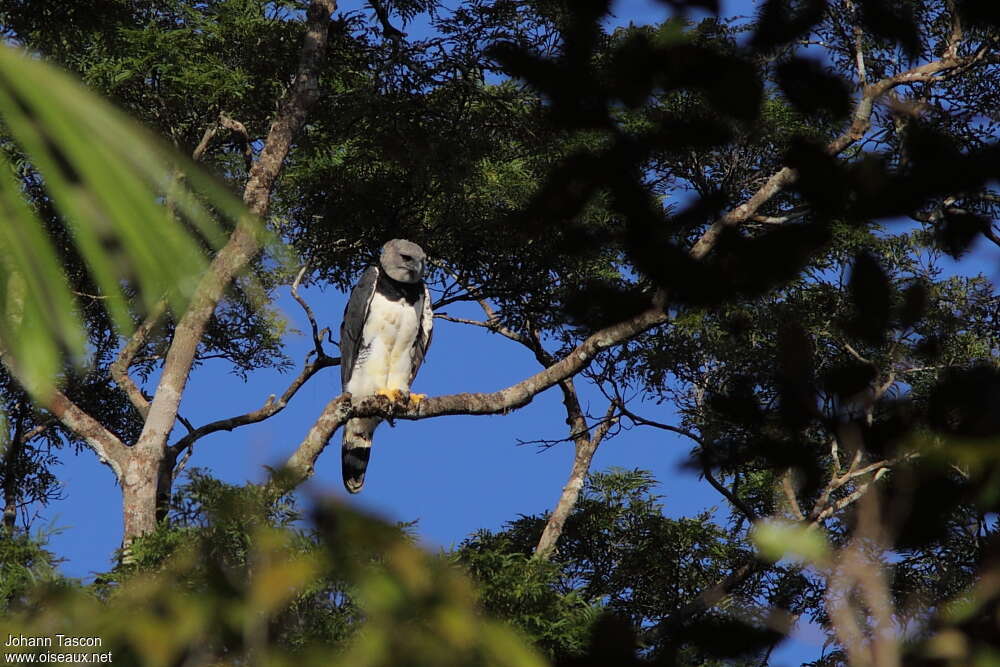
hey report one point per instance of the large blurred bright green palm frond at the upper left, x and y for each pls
(143, 218)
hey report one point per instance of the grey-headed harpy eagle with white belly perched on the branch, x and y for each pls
(383, 339)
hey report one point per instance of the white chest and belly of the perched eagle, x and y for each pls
(385, 361)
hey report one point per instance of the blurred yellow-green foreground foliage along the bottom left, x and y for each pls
(237, 576)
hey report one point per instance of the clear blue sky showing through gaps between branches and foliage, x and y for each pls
(453, 475)
